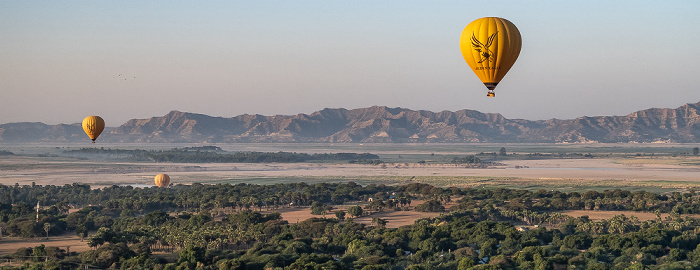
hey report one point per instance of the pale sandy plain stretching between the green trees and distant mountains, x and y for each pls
(659, 172)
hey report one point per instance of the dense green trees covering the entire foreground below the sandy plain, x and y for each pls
(221, 227)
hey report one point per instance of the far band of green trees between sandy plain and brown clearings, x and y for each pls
(198, 196)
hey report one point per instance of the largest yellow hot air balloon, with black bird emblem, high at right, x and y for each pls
(490, 46)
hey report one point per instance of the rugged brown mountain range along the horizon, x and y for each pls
(380, 124)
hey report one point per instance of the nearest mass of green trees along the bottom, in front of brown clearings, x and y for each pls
(462, 240)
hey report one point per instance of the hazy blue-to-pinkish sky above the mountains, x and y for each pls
(63, 60)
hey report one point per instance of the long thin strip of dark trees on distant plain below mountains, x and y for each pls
(214, 155)
